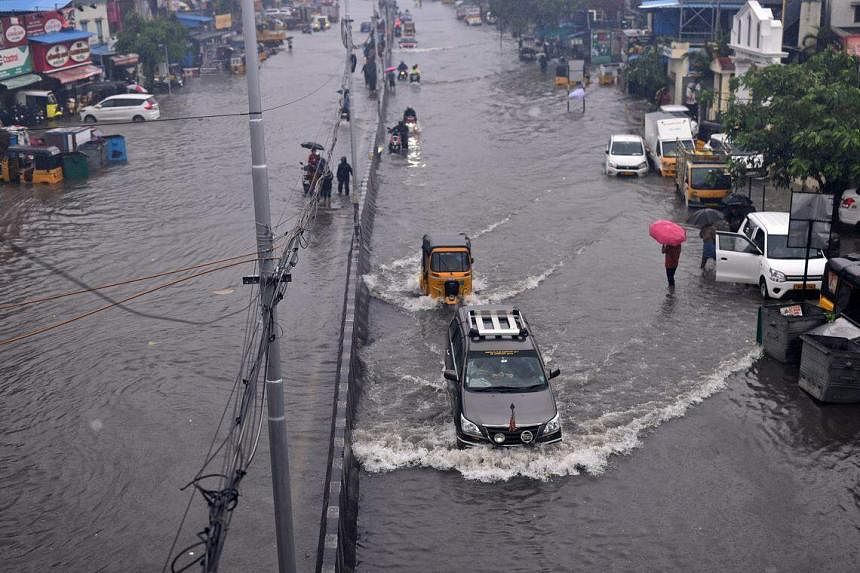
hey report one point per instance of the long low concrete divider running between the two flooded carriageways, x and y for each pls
(338, 527)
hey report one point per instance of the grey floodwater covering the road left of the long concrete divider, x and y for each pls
(106, 418)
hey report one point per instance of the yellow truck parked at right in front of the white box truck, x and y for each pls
(701, 177)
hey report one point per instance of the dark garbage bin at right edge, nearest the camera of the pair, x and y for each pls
(830, 368)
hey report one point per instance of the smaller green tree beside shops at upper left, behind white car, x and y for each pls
(148, 39)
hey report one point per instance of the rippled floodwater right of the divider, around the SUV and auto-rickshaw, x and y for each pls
(684, 448)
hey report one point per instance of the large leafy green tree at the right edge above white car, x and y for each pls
(804, 119)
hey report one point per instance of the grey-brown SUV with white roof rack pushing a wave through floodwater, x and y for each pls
(499, 384)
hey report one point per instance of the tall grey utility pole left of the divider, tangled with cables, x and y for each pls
(278, 449)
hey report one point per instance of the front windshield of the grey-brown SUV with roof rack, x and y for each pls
(504, 371)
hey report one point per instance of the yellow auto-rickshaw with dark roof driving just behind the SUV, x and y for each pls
(446, 267)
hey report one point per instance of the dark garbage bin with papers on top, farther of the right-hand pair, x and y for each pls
(782, 325)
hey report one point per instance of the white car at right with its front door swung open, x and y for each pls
(759, 254)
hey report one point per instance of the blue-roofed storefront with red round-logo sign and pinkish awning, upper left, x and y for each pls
(65, 60)
